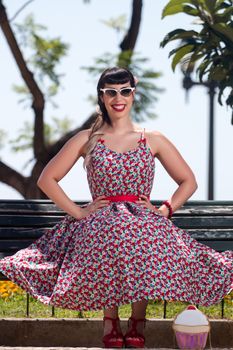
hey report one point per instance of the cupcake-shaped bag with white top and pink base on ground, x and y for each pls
(191, 328)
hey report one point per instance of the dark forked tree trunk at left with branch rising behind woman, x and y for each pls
(26, 186)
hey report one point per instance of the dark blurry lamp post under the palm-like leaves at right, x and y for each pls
(188, 83)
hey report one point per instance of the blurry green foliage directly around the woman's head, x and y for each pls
(147, 91)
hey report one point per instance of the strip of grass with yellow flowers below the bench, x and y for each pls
(13, 304)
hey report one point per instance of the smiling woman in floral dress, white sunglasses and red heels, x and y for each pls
(119, 249)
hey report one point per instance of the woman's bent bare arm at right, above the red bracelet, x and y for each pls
(177, 168)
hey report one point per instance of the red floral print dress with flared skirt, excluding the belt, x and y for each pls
(120, 253)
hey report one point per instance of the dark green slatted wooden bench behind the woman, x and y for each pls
(23, 221)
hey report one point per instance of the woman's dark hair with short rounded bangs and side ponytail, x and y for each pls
(115, 75)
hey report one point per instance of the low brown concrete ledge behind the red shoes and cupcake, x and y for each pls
(88, 333)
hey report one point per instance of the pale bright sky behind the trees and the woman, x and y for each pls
(184, 123)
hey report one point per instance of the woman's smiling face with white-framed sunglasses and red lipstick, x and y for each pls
(118, 103)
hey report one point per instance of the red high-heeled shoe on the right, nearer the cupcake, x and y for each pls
(132, 338)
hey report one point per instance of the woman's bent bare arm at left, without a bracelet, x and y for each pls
(57, 168)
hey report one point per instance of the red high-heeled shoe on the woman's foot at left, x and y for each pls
(115, 338)
